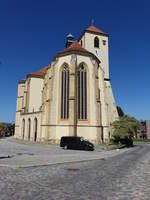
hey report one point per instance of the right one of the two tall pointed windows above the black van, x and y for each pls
(82, 92)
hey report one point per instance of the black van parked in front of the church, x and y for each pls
(78, 143)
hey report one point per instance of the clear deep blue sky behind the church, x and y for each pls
(33, 31)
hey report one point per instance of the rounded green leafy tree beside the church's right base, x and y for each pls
(124, 129)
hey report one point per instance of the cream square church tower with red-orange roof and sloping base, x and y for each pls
(95, 41)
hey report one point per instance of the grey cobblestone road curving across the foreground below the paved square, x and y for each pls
(123, 176)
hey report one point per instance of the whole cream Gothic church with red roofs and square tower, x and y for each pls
(72, 96)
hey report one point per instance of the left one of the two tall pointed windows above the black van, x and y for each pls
(65, 93)
